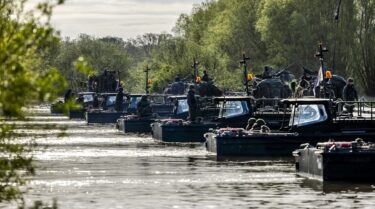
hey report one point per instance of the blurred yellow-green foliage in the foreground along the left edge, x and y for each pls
(25, 78)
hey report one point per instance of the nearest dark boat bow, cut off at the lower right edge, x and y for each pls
(337, 161)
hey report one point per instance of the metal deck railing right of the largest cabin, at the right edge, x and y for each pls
(359, 110)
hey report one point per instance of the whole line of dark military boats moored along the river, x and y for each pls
(329, 138)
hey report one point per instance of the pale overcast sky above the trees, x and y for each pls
(120, 18)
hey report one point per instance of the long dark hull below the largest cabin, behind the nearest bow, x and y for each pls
(271, 145)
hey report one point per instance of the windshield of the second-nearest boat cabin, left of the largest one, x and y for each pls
(233, 108)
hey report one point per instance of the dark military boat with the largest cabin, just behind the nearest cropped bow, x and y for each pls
(311, 121)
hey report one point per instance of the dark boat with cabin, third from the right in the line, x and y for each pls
(233, 111)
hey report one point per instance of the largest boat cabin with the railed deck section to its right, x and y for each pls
(324, 114)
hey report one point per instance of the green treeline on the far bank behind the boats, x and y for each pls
(277, 33)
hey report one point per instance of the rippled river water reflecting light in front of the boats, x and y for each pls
(98, 167)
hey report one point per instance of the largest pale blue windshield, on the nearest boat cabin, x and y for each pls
(307, 115)
